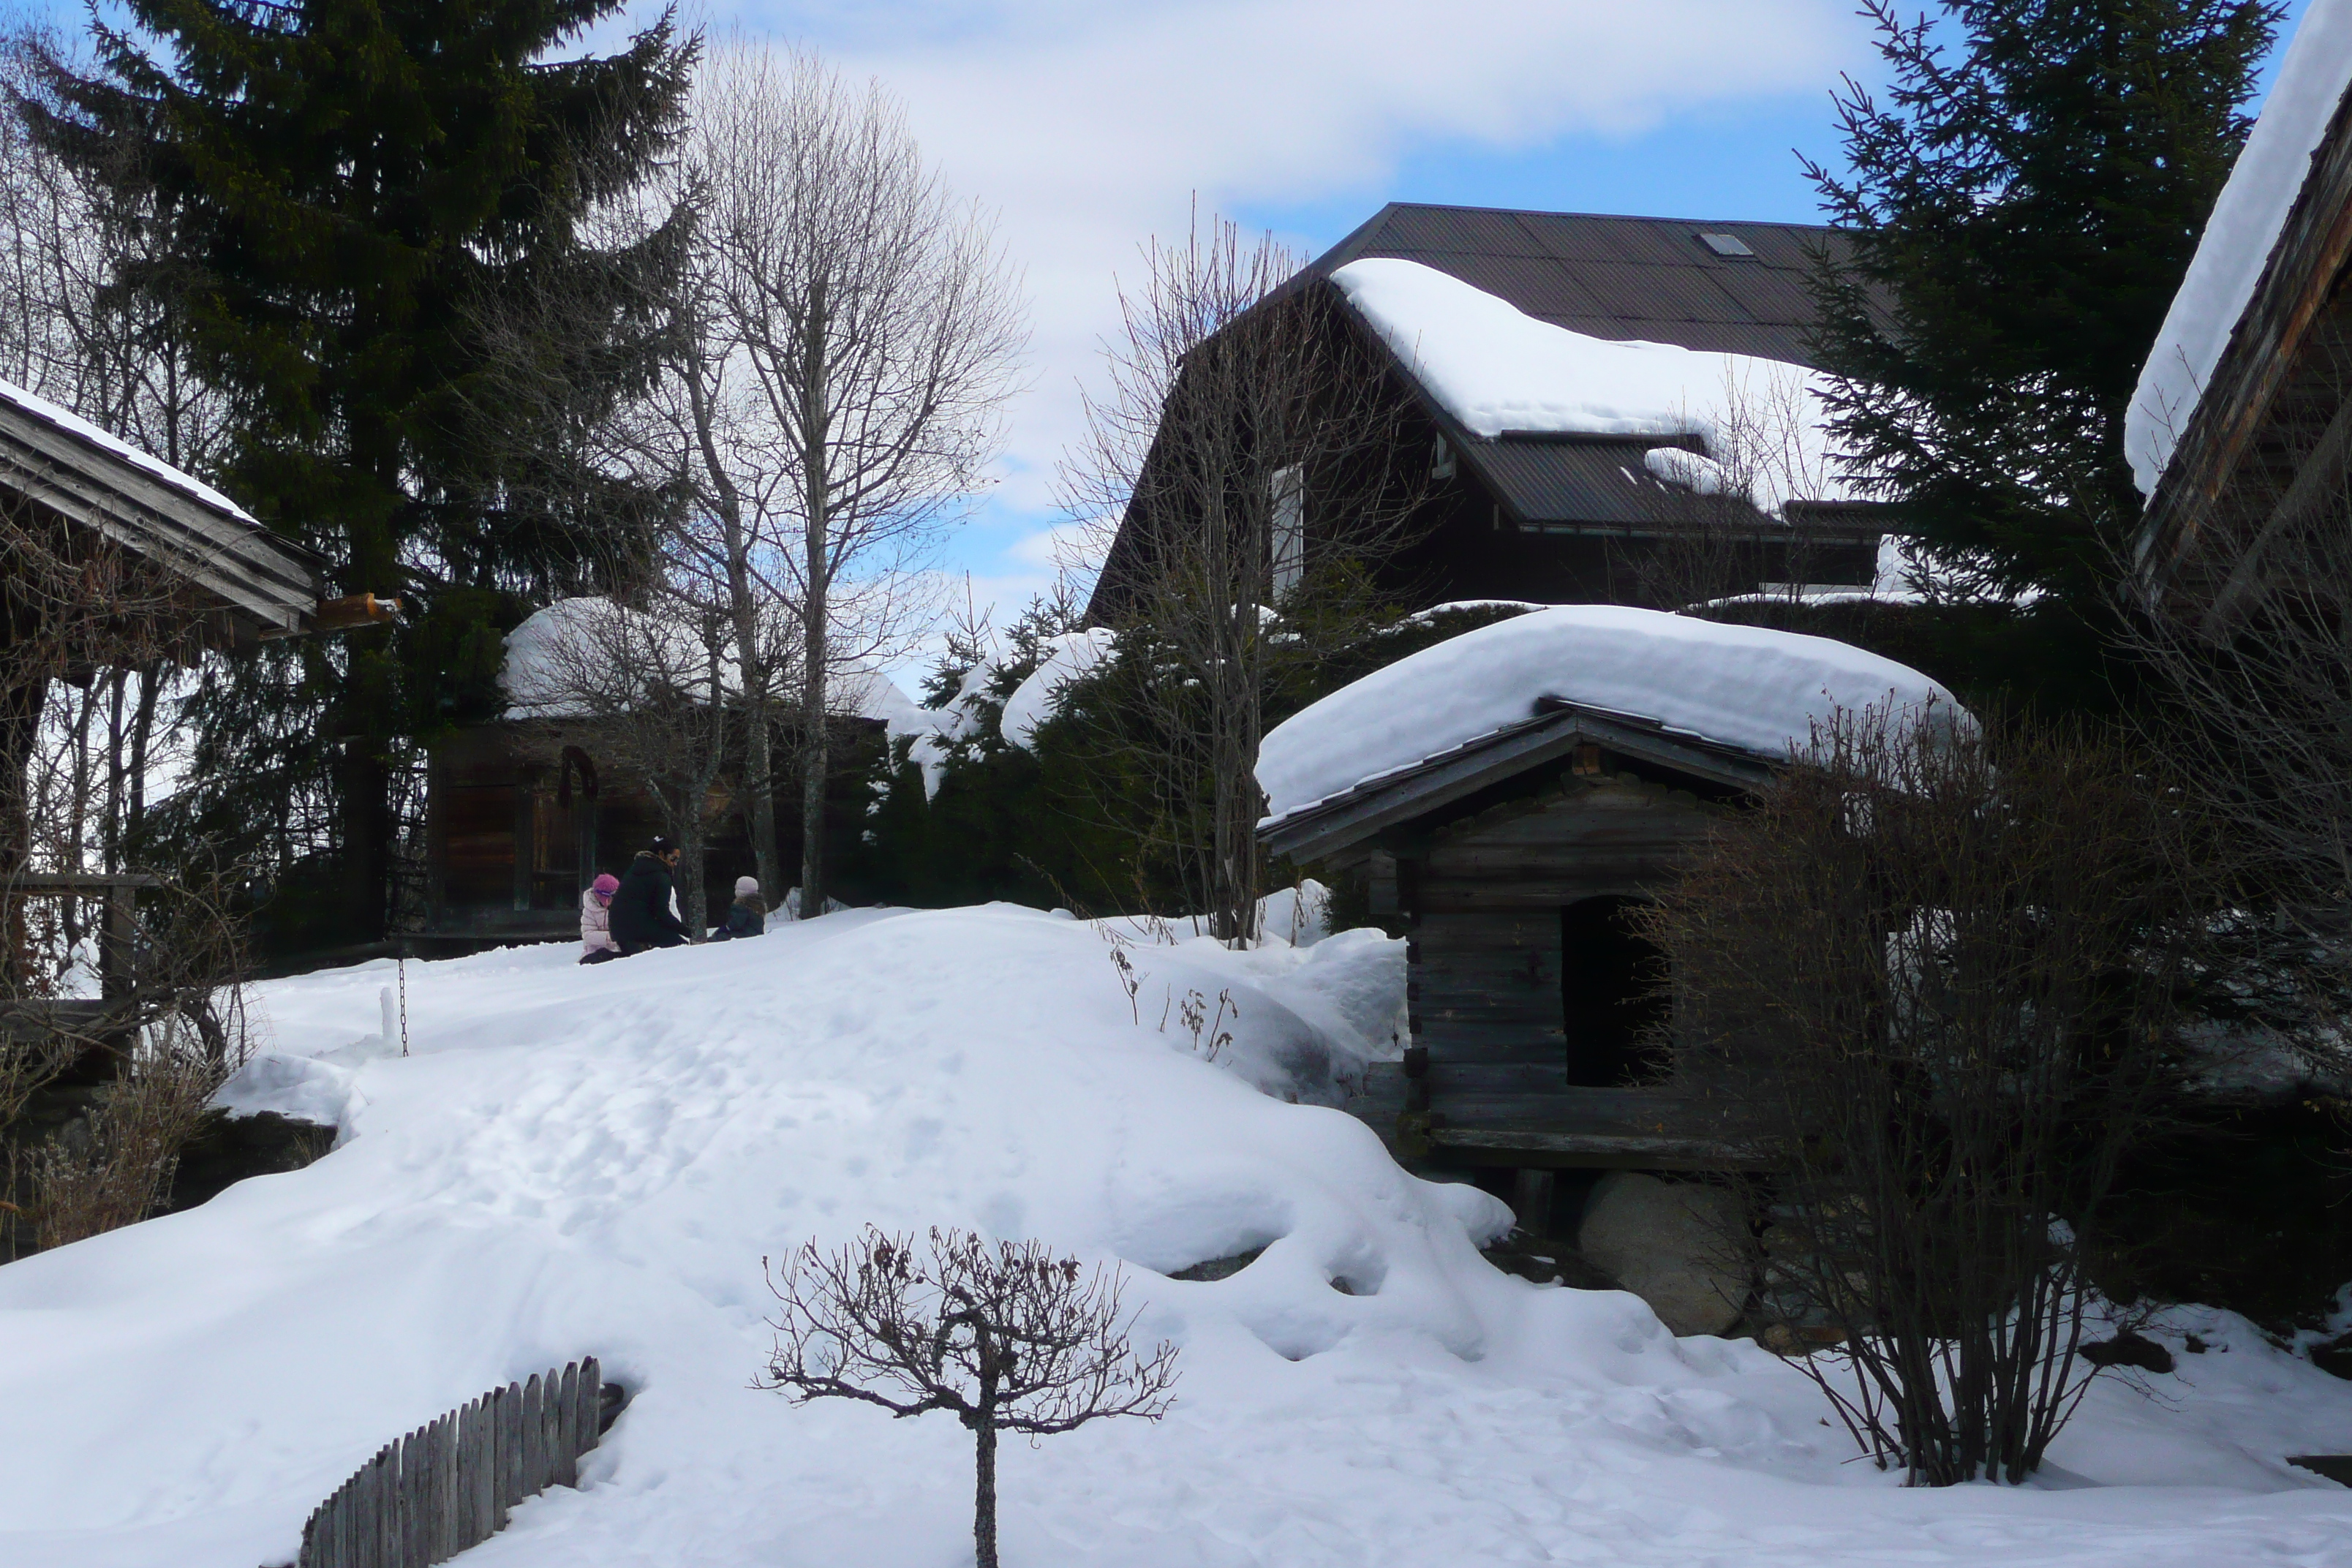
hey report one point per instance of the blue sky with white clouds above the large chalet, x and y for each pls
(1093, 126)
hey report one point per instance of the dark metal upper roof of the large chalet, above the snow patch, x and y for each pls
(1619, 279)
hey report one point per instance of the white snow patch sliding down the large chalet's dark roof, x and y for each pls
(1504, 373)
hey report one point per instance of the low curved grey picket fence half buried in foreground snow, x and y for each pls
(450, 1485)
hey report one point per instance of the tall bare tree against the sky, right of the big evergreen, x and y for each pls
(850, 342)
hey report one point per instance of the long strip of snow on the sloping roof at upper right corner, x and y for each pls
(2240, 236)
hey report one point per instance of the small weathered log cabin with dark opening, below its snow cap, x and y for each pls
(1509, 864)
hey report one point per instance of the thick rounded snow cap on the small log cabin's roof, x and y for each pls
(1739, 685)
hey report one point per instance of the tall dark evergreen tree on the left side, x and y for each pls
(349, 192)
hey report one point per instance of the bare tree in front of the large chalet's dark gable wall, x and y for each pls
(1248, 471)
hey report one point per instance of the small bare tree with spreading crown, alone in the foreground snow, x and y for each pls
(1008, 1339)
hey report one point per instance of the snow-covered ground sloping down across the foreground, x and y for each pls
(594, 1160)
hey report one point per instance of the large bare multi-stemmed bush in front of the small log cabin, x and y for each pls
(1937, 977)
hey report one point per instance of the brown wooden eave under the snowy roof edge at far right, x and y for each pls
(2273, 429)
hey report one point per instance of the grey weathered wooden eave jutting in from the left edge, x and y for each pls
(267, 584)
